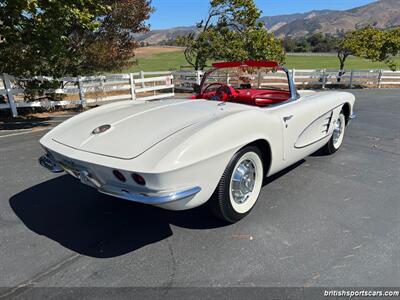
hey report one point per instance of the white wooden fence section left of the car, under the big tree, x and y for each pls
(90, 90)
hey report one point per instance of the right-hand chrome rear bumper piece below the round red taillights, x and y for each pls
(149, 198)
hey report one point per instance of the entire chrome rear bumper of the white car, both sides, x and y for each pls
(145, 197)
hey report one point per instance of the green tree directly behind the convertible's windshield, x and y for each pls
(231, 31)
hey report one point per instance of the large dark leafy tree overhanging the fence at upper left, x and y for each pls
(69, 37)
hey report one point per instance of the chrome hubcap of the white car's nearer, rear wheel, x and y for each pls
(243, 181)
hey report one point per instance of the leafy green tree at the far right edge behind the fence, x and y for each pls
(370, 43)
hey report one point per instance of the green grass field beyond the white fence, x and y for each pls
(175, 60)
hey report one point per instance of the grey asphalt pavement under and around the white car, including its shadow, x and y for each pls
(327, 221)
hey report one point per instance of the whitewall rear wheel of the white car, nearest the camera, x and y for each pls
(238, 190)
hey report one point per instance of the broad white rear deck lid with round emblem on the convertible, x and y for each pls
(133, 128)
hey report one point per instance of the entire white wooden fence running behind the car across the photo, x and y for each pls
(144, 86)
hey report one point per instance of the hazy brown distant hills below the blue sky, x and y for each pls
(380, 14)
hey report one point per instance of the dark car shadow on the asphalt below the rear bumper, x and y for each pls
(96, 225)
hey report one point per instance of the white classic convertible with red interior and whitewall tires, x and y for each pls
(247, 122)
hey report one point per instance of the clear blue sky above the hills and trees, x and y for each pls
(174, 13)
